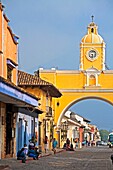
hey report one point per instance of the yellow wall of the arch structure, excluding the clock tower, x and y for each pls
(74, 85)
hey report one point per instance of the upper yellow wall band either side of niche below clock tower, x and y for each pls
(76, 79)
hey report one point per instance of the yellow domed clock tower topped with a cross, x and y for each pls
(92, 50)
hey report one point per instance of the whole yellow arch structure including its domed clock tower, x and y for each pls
(91, 81)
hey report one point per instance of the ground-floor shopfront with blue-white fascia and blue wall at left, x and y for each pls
(18, 118)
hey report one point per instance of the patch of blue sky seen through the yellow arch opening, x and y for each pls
(98, 112)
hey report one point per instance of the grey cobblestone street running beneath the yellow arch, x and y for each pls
(90, 158)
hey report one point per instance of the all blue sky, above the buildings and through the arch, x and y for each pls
(50, 32)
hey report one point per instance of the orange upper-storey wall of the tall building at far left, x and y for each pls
(8, 47)
